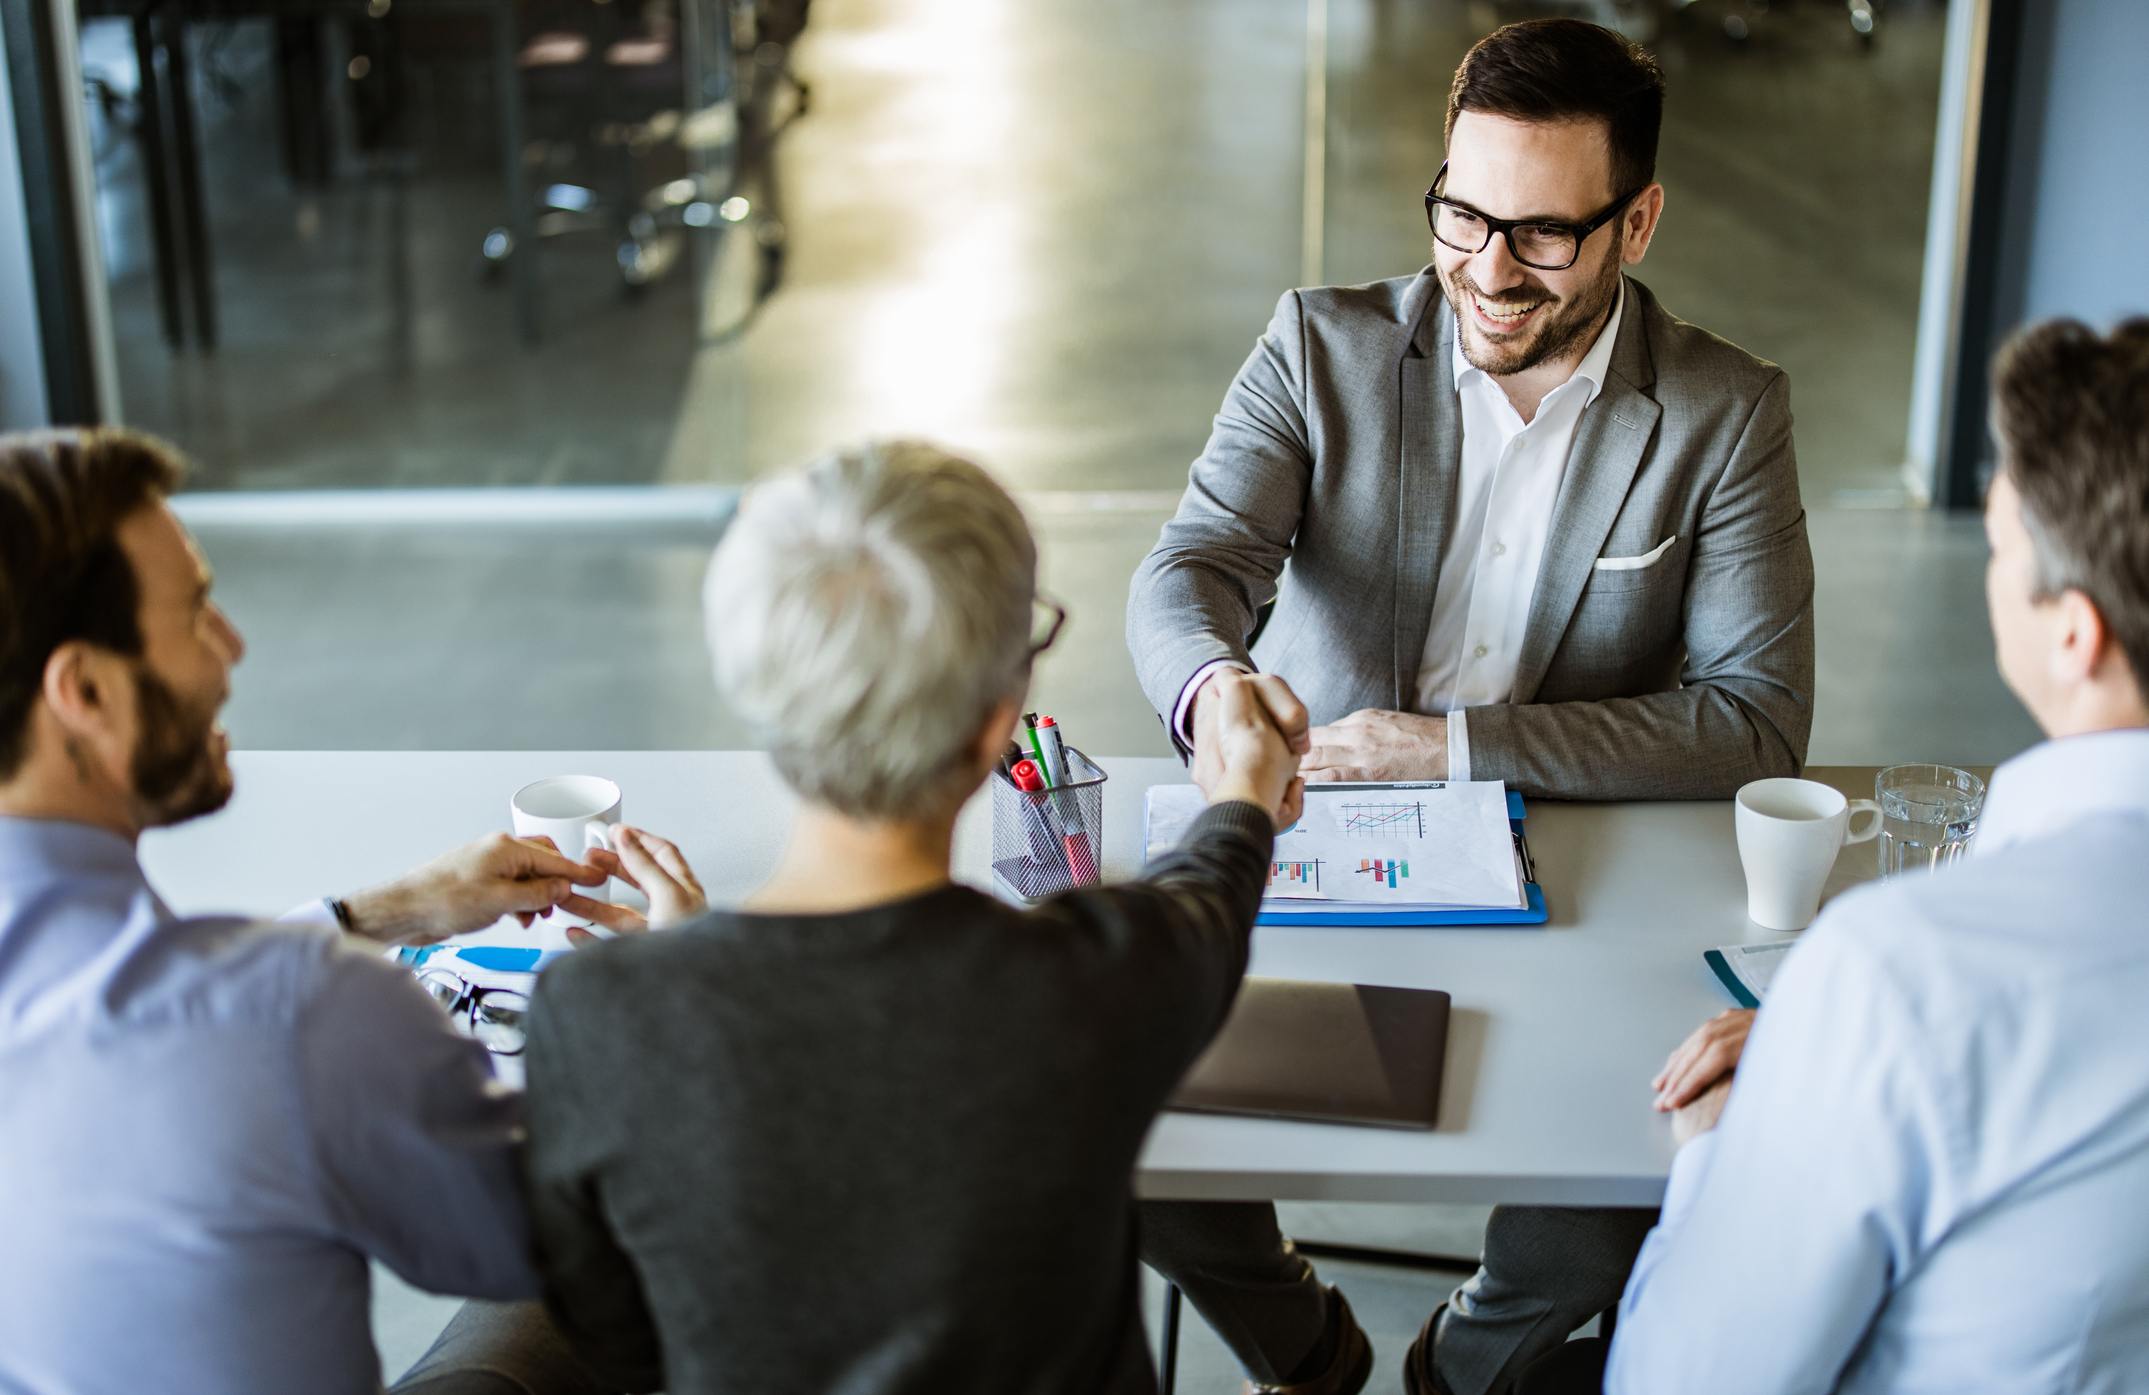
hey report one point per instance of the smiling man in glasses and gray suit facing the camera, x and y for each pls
(1518, 523)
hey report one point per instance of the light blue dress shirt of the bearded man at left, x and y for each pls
(210, 1125)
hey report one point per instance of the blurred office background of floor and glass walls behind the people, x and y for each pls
(478, 313)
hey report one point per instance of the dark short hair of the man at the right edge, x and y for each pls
(2071, 409)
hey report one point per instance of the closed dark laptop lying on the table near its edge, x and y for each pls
(1329, 1052)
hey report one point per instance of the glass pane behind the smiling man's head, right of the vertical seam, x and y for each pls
(1798, 167)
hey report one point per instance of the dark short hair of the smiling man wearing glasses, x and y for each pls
(1568, 70)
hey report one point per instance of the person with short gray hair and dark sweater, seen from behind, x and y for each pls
(876, 1132)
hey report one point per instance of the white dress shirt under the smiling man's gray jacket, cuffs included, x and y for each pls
(1510, 480)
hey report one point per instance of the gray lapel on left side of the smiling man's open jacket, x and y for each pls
(1430, 459)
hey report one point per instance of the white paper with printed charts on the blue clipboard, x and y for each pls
(1424, 846)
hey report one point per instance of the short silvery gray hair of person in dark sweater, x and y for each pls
(867, 614)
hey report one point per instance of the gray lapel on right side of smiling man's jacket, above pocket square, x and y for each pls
(1602, 465)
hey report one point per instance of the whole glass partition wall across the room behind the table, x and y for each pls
(420, 244)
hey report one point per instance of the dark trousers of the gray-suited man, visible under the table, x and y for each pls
(1544, 1274)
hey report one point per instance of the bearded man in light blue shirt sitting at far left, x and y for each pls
(207, 1125)
